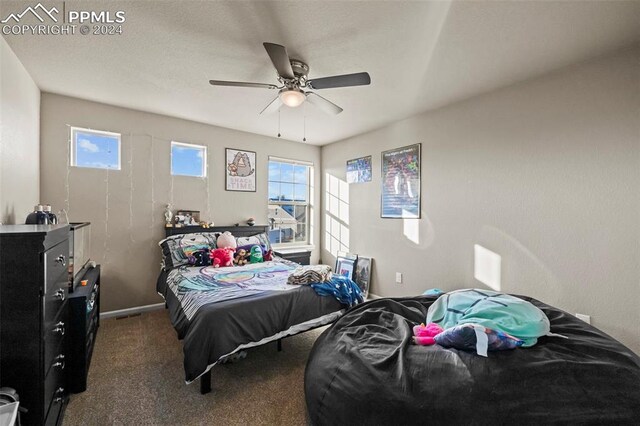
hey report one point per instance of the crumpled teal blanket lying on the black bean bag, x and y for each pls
(491, 309)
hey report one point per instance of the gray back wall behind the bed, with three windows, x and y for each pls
(126, 207)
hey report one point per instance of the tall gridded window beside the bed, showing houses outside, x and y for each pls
(290, 192)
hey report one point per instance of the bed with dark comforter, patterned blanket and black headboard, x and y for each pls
(218, 312)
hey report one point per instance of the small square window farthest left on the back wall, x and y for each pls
(95, 149)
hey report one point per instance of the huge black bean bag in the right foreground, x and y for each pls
(364, 370)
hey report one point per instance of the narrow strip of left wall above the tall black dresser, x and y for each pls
(19, 139)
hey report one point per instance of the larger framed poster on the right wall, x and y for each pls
(400, 195)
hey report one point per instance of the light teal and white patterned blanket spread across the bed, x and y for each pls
(195, 286)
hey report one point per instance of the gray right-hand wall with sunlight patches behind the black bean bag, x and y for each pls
(544, 173)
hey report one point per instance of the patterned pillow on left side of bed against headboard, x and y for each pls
(176, 249)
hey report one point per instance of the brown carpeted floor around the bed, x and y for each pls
(137, 378)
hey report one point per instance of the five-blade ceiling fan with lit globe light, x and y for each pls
(294, 84)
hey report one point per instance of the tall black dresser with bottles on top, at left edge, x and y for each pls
(34, 317)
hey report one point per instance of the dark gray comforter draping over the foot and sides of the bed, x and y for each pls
(218, 329)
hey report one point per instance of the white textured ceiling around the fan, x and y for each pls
(420, 55)
